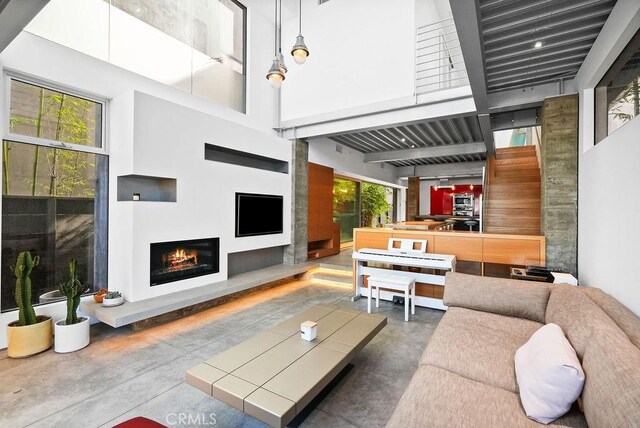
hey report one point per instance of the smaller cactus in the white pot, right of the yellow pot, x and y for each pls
(72, 333)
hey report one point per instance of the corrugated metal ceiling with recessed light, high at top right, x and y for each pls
(510, 29)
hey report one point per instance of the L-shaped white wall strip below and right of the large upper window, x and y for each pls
(61, 65)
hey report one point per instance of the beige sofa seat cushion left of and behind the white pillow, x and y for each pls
(479, 345)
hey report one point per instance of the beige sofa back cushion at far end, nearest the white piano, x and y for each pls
(497, 295)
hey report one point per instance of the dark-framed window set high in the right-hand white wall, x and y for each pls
(618, 93)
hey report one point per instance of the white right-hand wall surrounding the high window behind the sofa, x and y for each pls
(608, 250)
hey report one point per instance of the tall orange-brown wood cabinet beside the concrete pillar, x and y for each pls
(321, 233)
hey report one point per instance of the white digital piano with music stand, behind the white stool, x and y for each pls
(403, 252)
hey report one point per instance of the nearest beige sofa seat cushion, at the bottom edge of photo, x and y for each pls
(439, 398)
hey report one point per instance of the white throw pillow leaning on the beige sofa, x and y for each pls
(549, 374)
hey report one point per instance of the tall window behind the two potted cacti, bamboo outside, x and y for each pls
(54, 189)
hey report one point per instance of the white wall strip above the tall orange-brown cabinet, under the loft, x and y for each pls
(351, 163)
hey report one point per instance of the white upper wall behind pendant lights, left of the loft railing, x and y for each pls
(361, 52)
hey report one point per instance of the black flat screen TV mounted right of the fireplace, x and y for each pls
(258, 214)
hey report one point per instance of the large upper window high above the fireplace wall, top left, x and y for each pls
(196, 46)
